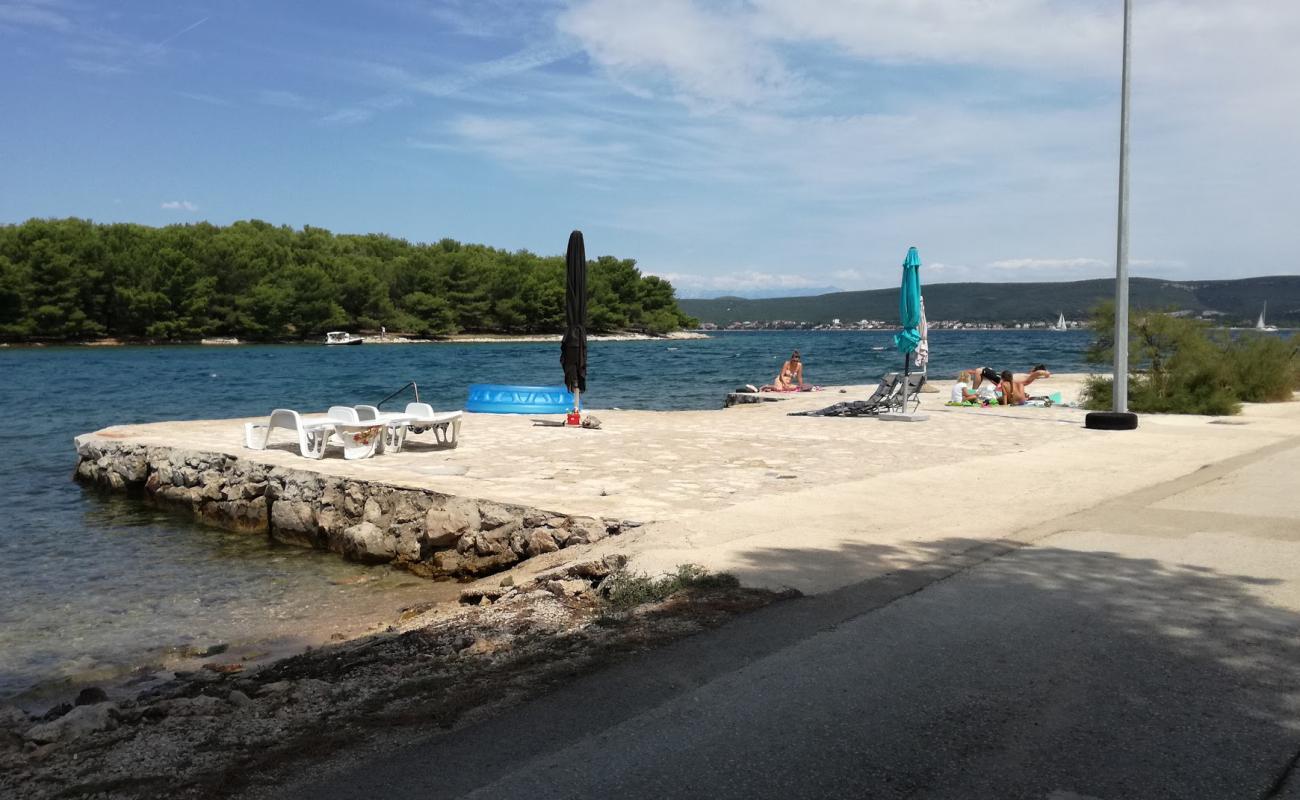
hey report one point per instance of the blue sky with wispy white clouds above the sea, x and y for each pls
(755, 148)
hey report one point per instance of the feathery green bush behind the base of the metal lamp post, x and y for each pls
(1180, 366)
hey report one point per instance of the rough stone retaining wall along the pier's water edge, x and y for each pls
(427, 533)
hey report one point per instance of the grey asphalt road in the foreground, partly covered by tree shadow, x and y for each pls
(1147, 648)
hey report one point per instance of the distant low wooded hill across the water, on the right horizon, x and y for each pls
(1240, 302)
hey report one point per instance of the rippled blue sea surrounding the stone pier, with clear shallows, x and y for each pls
(94, 585)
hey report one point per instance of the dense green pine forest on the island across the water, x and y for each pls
(68, 280)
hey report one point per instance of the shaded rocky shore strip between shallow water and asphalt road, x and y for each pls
(220, 732)
